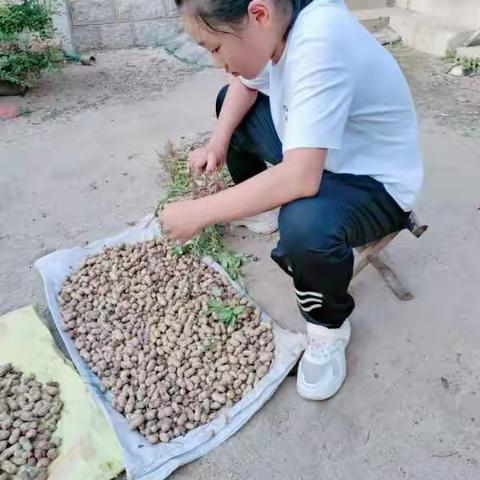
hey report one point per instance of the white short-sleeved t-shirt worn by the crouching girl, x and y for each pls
(337, 88)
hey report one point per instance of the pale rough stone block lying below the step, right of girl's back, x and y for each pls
(426, 33)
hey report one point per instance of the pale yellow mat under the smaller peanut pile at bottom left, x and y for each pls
(90, 450)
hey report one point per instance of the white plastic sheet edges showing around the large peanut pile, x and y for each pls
(156, 462)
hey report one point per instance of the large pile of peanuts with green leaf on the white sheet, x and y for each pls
(142, 319)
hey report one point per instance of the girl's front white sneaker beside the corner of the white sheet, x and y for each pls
(323, 367)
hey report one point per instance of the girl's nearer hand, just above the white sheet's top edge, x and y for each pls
(181, 221)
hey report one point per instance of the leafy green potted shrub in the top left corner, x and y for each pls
(27, 46)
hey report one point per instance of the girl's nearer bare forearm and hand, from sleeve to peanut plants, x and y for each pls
(297, 176)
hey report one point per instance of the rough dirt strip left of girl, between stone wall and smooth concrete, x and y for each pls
(118, 76)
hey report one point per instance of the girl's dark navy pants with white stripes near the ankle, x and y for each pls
(317, 234)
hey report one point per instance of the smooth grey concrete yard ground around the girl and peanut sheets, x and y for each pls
(410, 406)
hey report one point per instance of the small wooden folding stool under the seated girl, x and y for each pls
(372, 253)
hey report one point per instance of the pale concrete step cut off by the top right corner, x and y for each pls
(458, 12)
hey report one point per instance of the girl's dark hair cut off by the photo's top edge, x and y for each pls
(232, 12)
